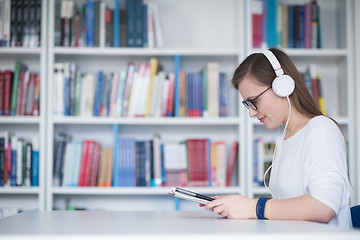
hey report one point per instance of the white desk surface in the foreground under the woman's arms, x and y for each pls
(159, 225)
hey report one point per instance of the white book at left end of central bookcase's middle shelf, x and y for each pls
(58, 89)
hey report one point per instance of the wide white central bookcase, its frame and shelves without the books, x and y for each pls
(186, 35)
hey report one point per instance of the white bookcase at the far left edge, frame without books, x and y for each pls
(27, 198)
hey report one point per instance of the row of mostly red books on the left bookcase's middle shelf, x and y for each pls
(19, 91)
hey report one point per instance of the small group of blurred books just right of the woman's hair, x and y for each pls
(313, 82)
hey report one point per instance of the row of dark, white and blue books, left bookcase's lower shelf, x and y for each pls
(19, 161)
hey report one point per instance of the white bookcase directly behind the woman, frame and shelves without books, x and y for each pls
(335, 63)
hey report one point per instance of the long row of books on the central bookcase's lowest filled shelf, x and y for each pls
(192, 162)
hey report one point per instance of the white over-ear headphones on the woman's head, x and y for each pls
(283, 85)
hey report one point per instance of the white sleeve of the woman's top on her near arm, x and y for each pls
(326, 175)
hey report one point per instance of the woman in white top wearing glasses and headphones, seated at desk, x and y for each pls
(309, 179)
